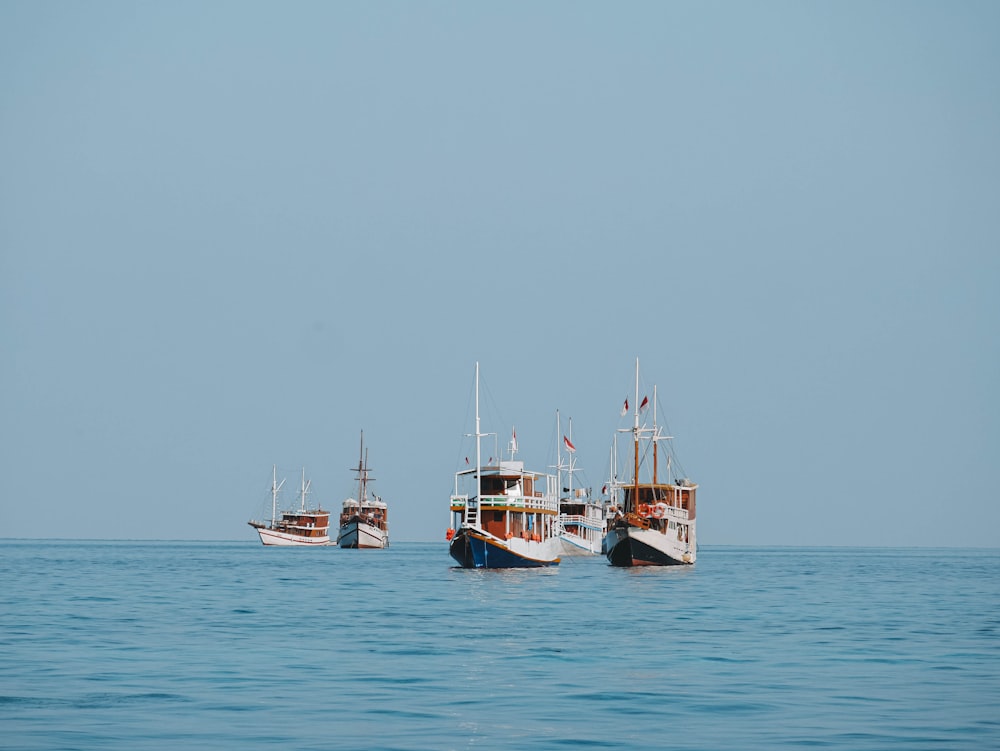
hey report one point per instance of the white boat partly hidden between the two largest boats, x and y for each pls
(582, 523)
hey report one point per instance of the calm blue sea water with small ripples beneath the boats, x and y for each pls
(134, 645)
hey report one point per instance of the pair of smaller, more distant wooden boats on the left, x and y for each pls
(364, 521)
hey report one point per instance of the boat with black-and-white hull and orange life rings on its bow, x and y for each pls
(653, 519)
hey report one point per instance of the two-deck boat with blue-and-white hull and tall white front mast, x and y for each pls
(502, 515)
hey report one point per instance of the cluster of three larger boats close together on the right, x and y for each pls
(505, 516)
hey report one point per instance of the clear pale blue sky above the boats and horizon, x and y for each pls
(235, 235)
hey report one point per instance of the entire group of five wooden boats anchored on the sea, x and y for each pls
(504, 515)
